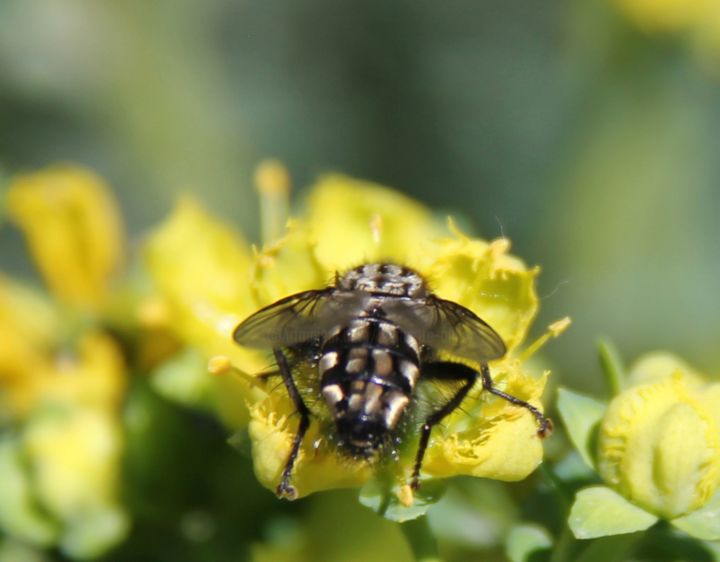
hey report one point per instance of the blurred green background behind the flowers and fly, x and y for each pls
(588, 133)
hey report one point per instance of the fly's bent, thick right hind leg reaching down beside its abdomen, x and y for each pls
(447, 371)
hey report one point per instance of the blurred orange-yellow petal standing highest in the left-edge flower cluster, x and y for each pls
(72, 228)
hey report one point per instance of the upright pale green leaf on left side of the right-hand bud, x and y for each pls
(581, 416)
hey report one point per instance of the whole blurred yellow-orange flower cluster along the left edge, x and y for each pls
(61, 380)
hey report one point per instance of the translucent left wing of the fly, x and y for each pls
(298, 318)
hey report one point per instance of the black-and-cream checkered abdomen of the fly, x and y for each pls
(368, 373)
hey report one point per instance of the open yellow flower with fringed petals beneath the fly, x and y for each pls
(347, 222)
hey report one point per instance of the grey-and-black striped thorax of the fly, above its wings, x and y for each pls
(384, 278)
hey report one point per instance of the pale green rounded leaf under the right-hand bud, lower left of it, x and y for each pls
(599, 511)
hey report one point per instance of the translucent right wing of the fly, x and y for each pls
(447, 326)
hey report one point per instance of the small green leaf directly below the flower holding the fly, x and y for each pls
(382, 498)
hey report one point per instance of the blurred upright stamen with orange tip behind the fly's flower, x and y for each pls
(272, 182)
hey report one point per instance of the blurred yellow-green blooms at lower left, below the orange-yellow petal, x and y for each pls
(70, 441)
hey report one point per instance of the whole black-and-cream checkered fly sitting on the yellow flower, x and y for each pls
(369, 340)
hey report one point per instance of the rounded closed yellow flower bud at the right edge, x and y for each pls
(659, 442)
